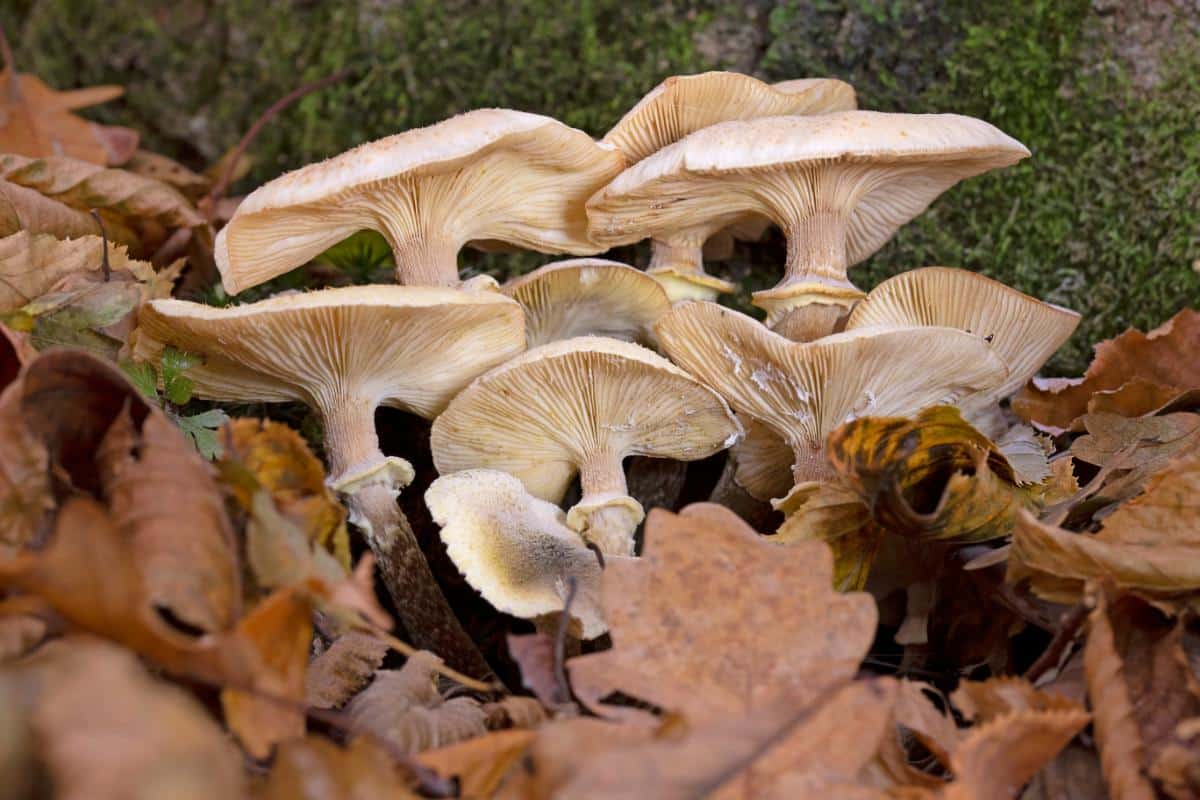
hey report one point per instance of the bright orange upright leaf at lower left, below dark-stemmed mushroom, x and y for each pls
(279, 634)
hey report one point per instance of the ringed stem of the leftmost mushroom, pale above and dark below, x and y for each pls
(353, 449)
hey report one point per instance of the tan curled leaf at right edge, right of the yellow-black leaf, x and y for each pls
(1150, 544)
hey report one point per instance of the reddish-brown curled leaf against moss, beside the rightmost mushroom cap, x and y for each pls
(1135, 375)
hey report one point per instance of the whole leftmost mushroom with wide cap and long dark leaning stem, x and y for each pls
(345, 353)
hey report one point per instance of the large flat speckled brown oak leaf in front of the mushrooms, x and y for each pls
(777, 629)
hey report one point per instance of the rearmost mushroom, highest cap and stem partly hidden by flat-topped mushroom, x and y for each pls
(687, 104)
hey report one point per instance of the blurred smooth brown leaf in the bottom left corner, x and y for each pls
(105, 730)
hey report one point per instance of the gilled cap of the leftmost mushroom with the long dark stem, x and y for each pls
(407, 347)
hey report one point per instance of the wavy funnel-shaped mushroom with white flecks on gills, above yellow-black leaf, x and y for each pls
(802, 392)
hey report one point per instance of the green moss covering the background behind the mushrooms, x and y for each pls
(1105, 218)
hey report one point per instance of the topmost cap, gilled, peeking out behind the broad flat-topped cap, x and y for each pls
(683, 105)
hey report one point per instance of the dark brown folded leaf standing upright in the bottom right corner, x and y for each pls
(1142, 688)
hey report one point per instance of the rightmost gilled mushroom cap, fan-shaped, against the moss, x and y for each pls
(1022, 330)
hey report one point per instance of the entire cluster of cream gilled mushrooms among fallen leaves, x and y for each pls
(566, 372)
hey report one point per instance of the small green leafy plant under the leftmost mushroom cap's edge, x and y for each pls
(177, 392)
